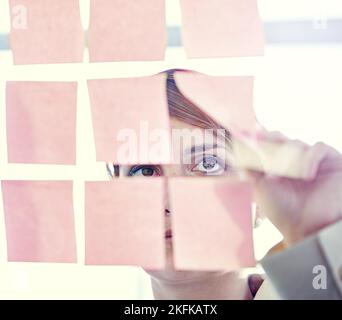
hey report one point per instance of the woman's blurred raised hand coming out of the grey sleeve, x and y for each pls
(300, 207)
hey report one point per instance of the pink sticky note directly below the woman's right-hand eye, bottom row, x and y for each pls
(215, 231)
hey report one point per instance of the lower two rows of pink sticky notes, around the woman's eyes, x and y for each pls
(124, 217)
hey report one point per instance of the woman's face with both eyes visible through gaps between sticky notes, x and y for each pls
(203, 155)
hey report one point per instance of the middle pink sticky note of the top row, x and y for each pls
(123, 30)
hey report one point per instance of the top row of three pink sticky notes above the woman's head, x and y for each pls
(49, 31)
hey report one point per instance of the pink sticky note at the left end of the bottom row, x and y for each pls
(39, 221)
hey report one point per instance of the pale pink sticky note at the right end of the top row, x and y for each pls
(221, 28)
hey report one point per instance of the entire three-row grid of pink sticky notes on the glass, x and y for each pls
(125, 218)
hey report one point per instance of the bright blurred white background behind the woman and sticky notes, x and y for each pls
(298, 91)
